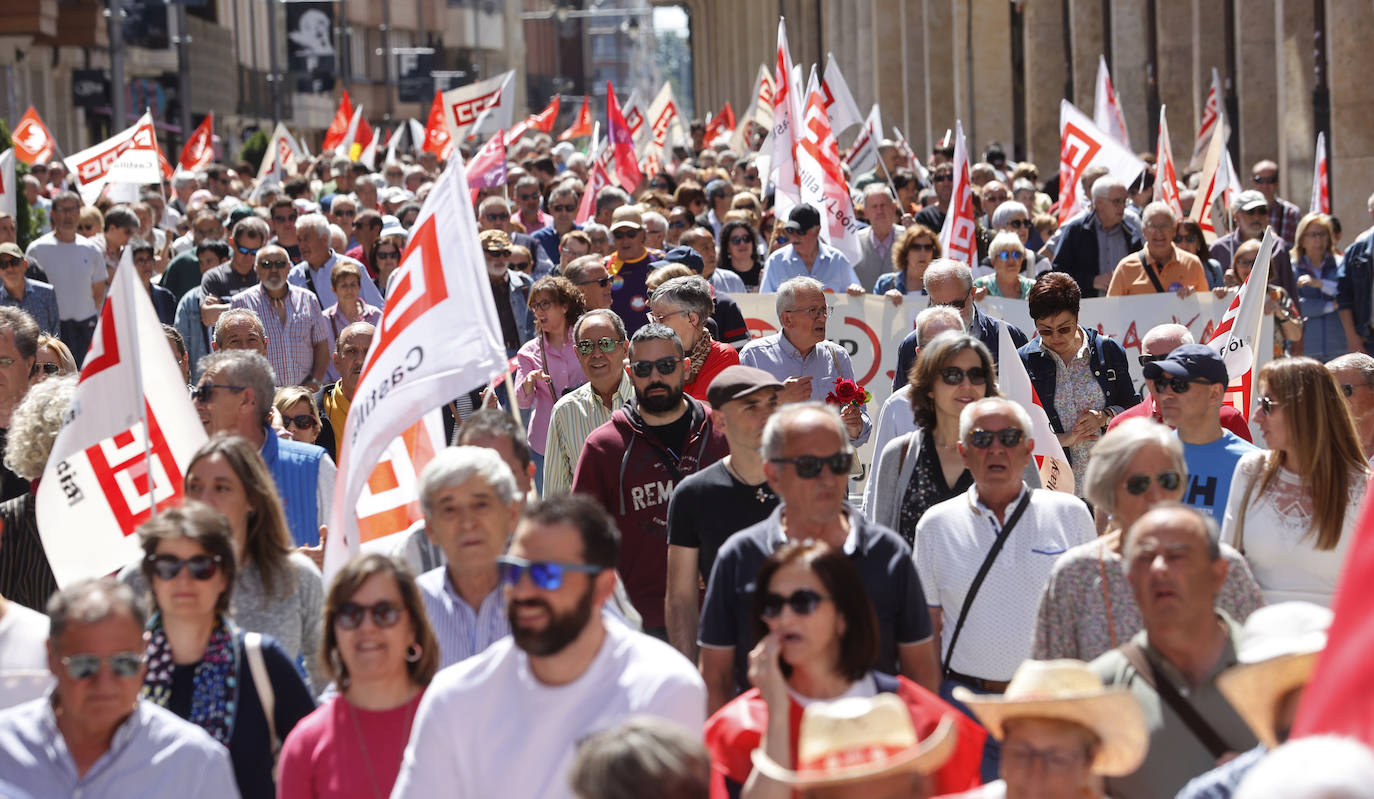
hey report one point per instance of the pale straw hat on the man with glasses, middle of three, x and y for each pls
(1070, 691)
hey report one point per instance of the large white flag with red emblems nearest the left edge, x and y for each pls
(126, 443)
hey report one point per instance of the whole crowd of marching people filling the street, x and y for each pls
(644, 564)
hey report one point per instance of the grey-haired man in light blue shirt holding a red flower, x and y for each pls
(800, 356)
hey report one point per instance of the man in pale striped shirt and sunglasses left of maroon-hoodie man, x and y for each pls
(602, 348)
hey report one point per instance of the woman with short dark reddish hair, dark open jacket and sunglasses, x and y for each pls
(1083, 378)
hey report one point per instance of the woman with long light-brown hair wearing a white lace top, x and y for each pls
(1294, 509)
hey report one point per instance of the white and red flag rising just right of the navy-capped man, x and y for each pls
(1239, 334)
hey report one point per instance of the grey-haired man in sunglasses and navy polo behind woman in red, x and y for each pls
(807, 461)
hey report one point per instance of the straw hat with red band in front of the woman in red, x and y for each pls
(861, 739)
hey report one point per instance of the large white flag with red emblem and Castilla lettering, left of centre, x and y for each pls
(439, 338)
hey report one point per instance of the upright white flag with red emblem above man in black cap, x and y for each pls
(822, 179)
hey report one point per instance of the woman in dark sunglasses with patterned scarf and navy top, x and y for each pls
(201, 665)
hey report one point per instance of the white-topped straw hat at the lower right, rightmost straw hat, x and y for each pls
(1277, 653)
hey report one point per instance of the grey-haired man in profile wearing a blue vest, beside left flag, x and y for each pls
(236, 396)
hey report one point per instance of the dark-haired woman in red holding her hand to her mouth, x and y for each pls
(818, 635)
